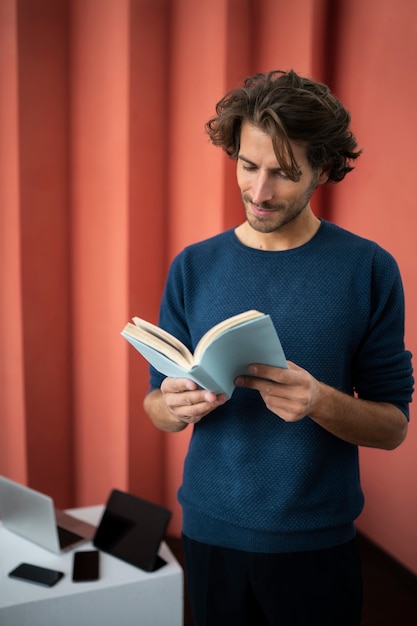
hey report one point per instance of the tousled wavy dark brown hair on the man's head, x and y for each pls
(288, 107)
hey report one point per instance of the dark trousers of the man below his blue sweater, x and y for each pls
(234, 588)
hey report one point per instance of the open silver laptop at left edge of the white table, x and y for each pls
(32, 515)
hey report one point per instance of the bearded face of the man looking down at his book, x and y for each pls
(271, 199)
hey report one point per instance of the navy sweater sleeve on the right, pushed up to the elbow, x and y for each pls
(383, 369)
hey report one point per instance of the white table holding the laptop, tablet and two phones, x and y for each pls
(124, 595)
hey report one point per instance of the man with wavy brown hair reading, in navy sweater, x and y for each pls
(271, 481)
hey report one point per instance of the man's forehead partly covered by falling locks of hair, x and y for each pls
(256, 144)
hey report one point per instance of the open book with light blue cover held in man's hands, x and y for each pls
(223, 353)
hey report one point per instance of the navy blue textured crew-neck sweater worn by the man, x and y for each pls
(252, 481)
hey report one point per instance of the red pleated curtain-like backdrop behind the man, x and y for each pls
(106, 173)
